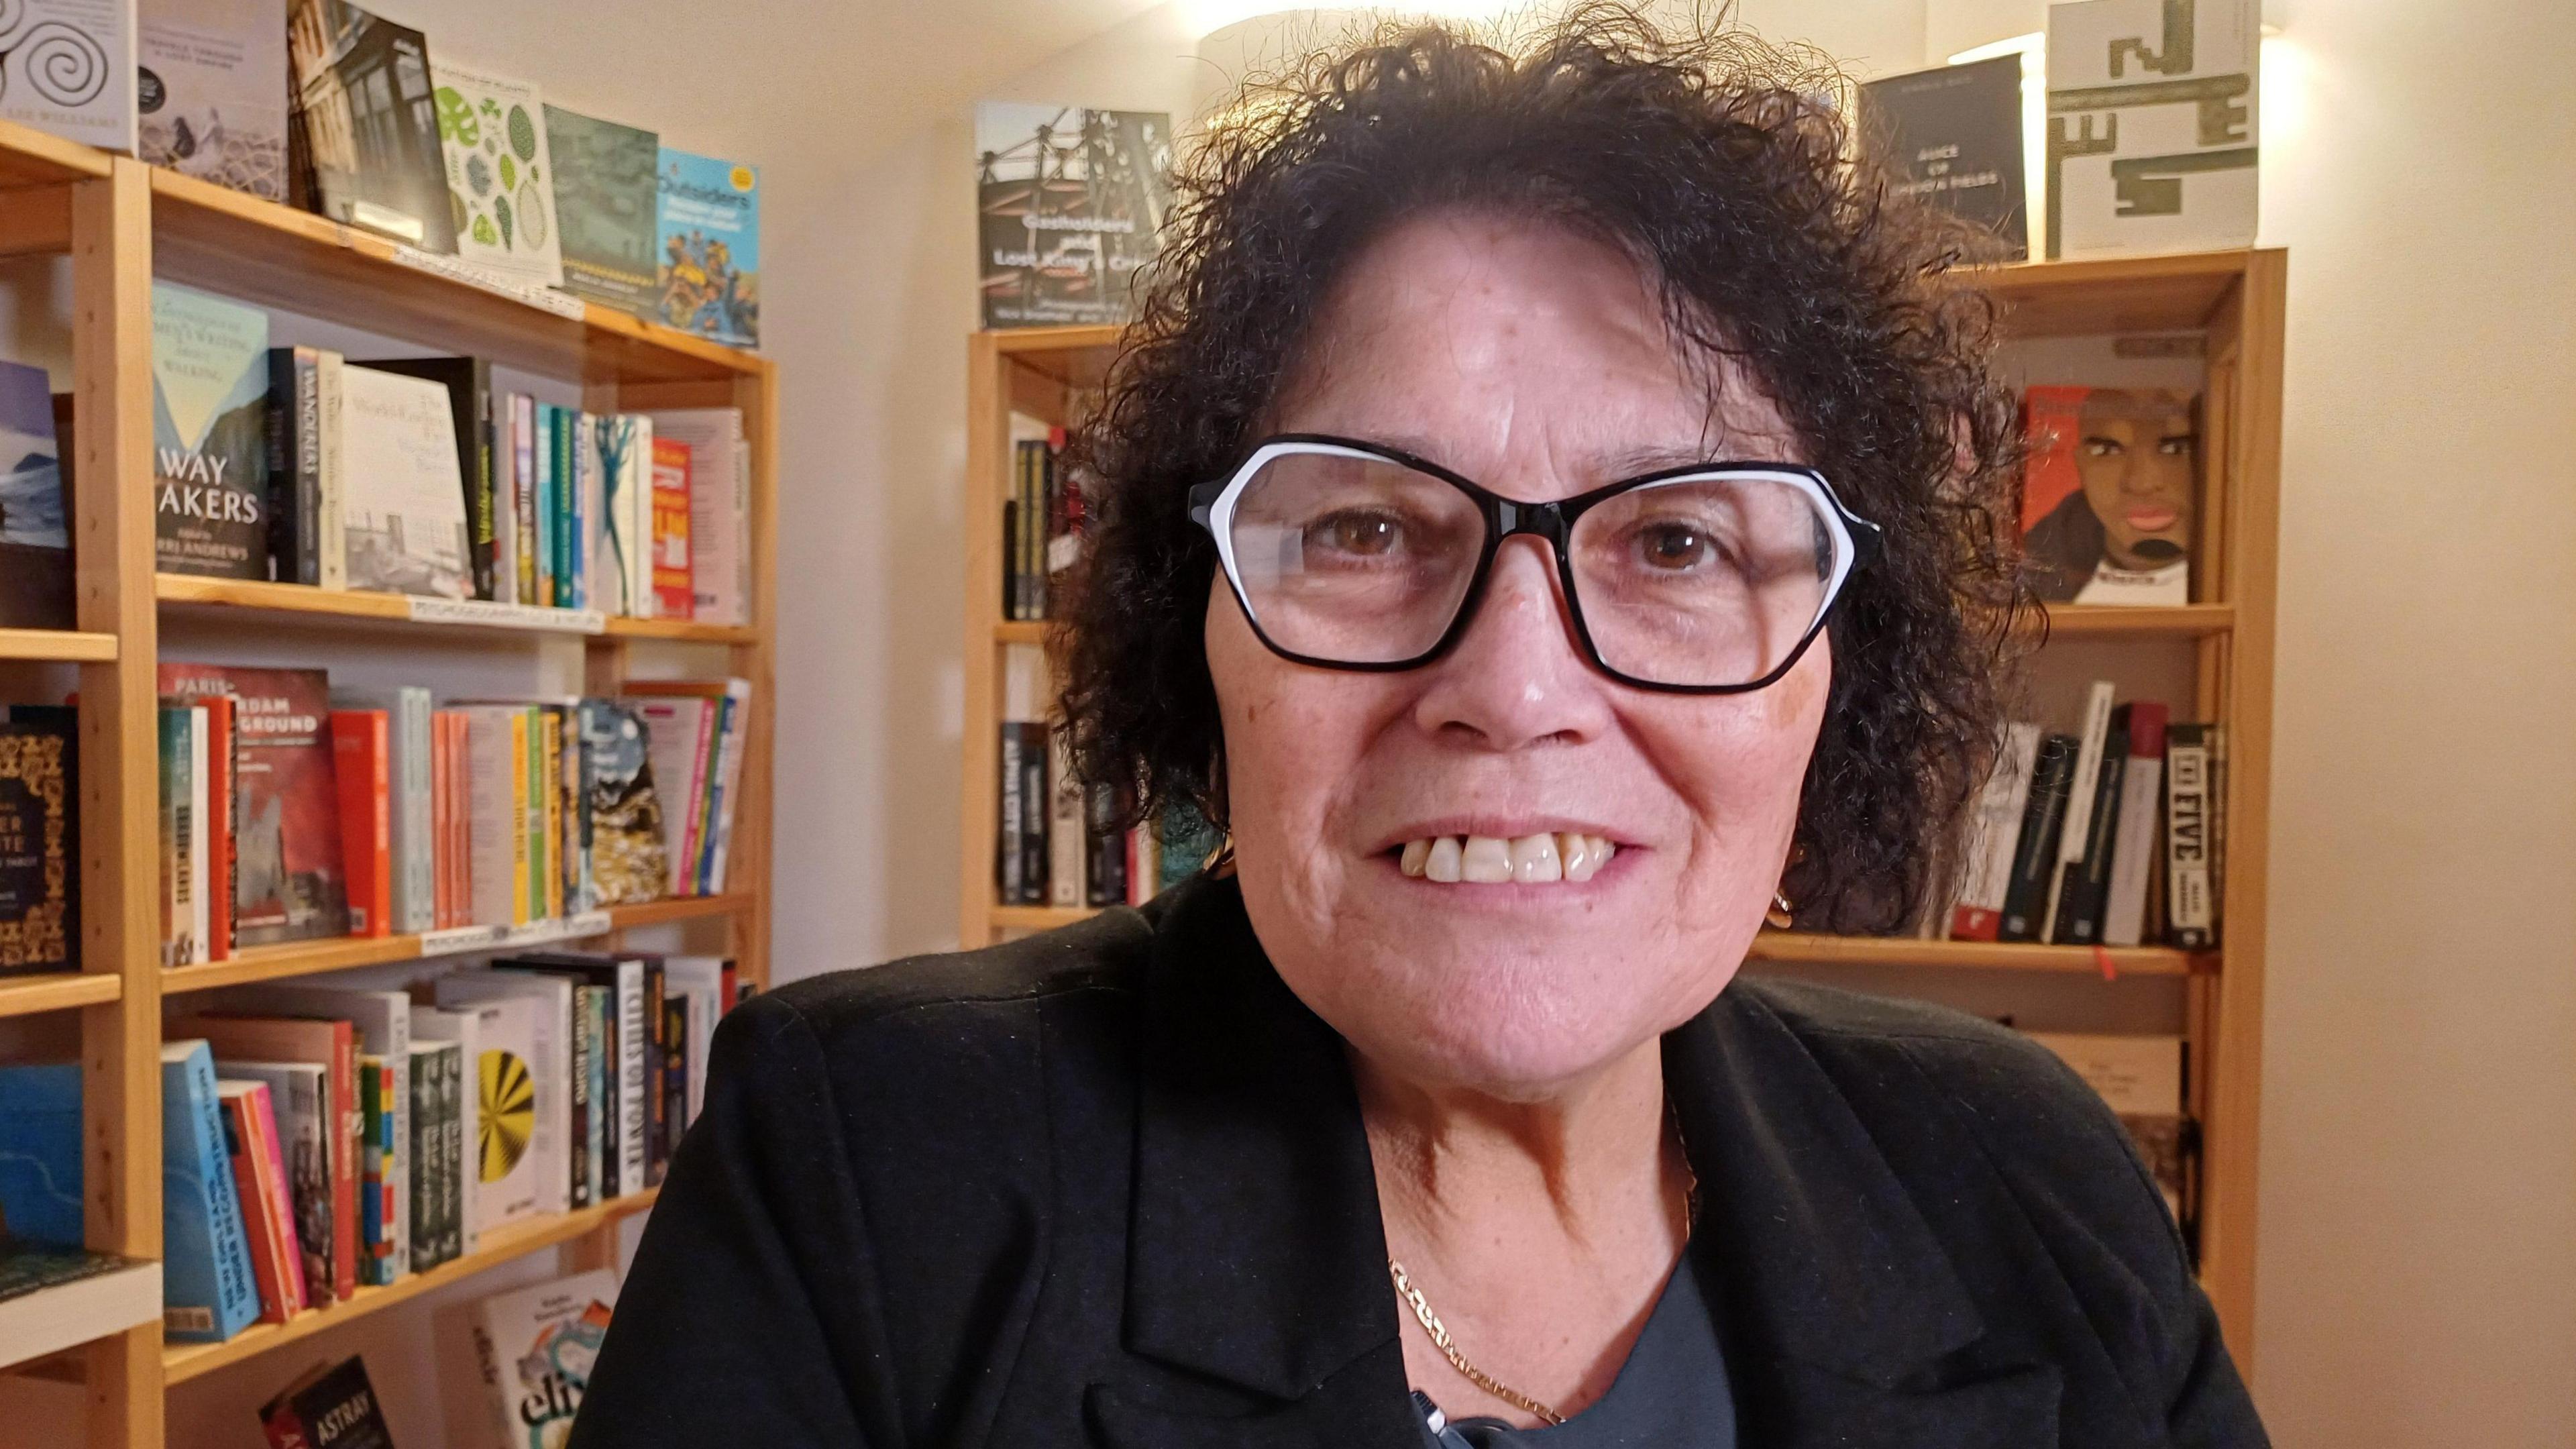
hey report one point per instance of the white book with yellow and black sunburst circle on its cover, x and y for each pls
(522, 1092)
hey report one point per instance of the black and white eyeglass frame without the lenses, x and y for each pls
(1856, 543)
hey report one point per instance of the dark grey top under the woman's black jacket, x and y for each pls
(1668, 1396)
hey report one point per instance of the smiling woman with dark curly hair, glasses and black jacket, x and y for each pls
(1549, 522)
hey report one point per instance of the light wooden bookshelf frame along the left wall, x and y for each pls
(122, 226)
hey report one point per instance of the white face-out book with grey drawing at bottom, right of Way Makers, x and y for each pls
(403, 494)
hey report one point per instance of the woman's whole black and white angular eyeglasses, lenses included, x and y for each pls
(1707, 579)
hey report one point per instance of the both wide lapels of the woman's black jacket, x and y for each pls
(1258, 1254)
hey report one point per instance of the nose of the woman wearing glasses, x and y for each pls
(1519, 674)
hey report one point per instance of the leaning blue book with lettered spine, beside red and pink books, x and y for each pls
(207, 1288)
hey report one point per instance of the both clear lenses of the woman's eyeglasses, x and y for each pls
(1696, 581)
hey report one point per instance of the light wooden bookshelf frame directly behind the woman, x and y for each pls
(2235, 300)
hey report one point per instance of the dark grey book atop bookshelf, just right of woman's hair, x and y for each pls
(1954, 138)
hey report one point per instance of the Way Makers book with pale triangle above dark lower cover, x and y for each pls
(210, 434)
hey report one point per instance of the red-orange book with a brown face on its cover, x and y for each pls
(2111, 489)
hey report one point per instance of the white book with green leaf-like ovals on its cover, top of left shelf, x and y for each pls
(501, 179)
